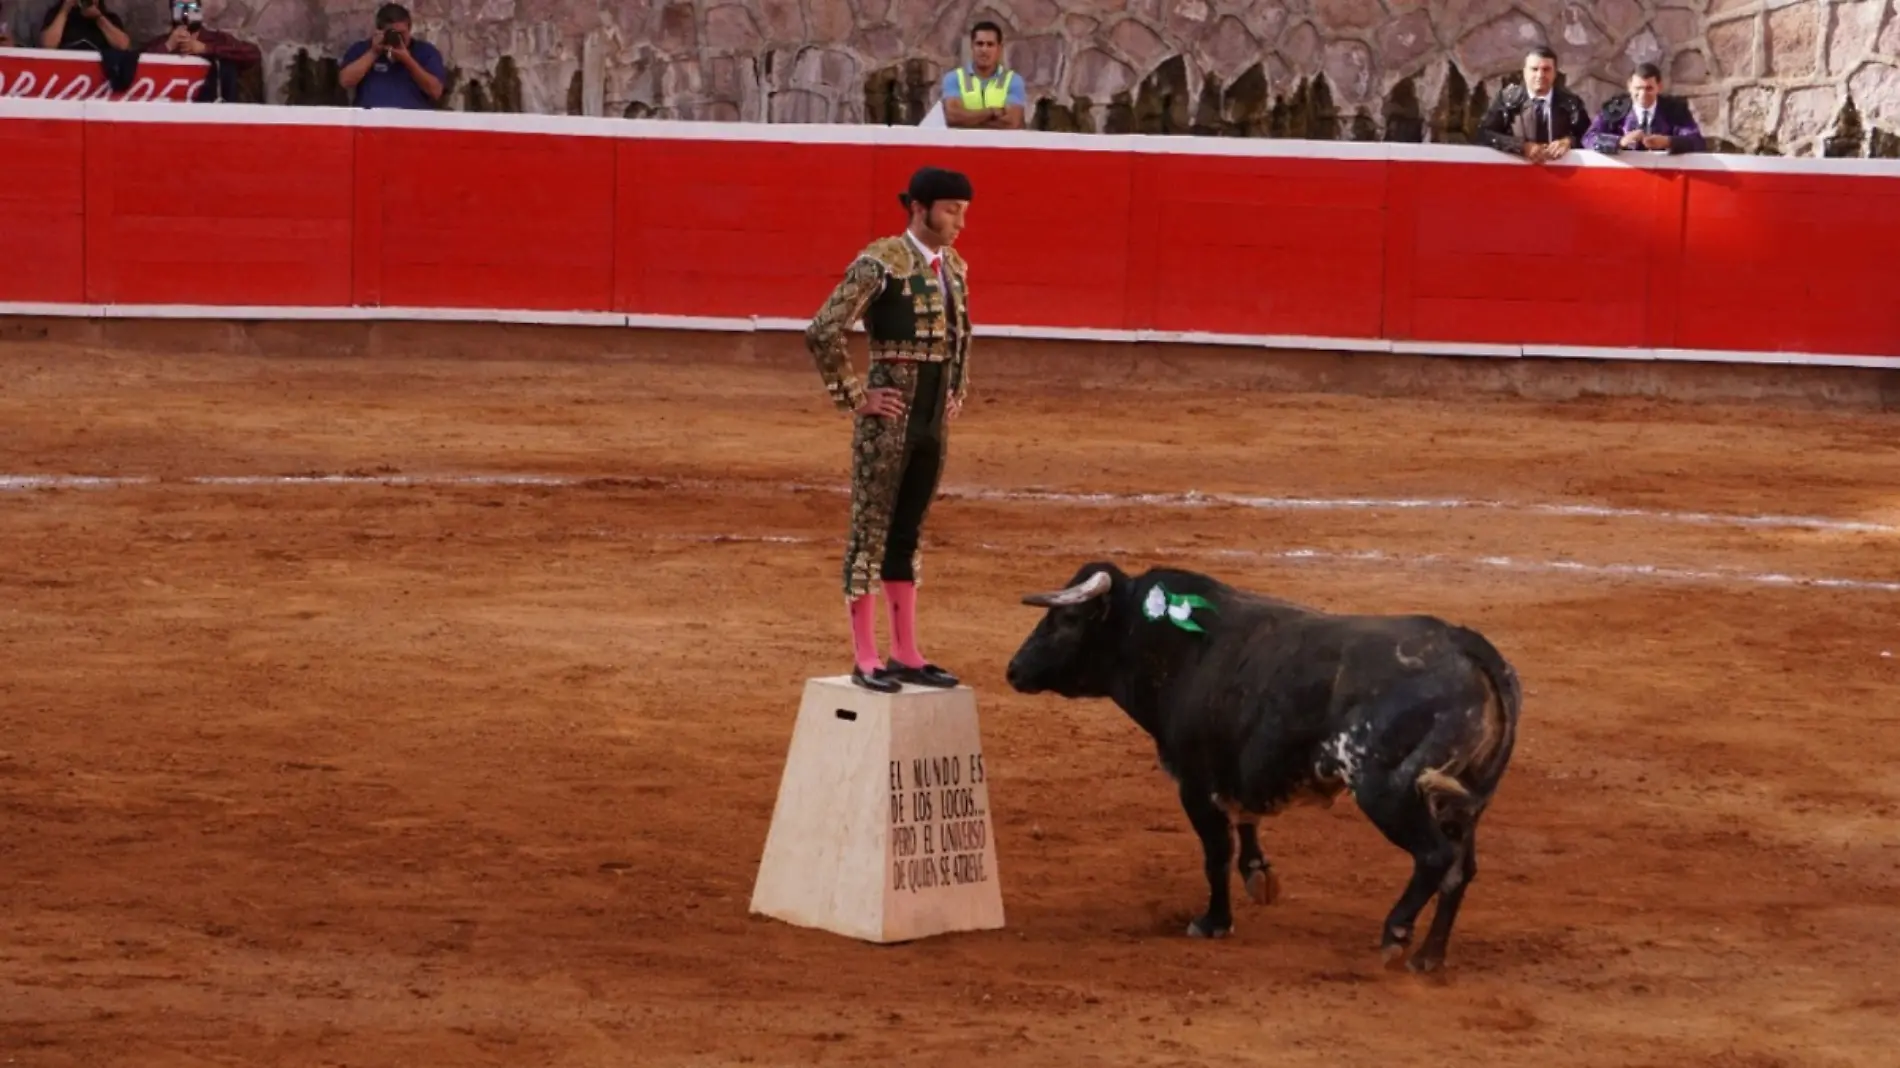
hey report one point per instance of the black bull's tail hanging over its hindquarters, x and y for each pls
(1460, 774)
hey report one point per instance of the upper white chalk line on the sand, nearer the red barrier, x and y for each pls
(1048, 497)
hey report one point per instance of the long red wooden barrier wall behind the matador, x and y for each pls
(1384, 244)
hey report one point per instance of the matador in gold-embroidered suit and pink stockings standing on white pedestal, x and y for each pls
(909, 292)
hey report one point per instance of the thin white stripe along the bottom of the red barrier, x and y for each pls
(742, 324)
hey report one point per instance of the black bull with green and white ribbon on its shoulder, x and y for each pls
(1259, 704)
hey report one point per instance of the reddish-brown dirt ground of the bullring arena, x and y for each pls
(434, 774)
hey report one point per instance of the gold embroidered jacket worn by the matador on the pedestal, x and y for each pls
(892, 288)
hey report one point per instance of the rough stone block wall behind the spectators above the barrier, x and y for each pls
(1789, 77)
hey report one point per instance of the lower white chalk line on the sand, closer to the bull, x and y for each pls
(1369, 558)
